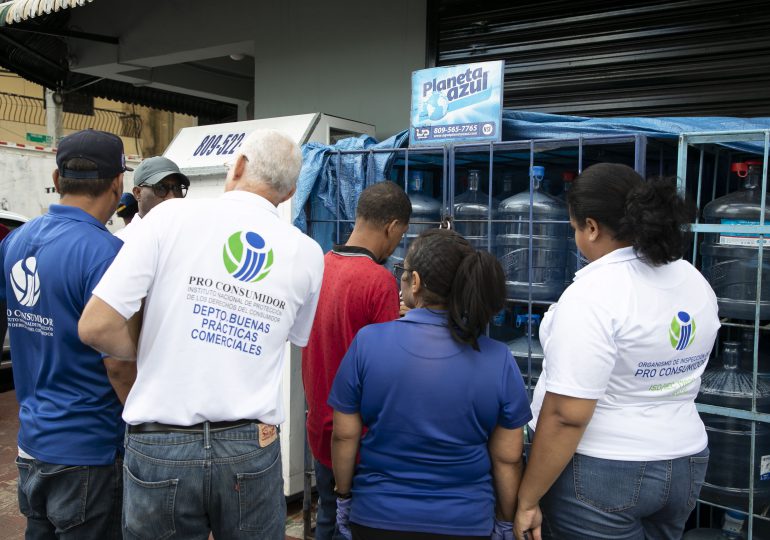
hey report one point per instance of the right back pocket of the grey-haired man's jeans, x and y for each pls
(257, 493)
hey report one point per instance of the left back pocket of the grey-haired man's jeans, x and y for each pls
(148, 507)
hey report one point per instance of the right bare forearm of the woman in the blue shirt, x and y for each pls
(505, 451)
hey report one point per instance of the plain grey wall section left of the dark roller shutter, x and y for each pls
(353, 61)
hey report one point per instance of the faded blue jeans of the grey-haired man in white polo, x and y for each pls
(184, 485)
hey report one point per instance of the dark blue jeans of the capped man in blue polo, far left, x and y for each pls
(70, 502)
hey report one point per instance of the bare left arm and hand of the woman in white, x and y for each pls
(560, 426)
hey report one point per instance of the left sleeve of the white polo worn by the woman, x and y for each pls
(579, 347)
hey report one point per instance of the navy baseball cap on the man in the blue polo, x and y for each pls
(103, 149)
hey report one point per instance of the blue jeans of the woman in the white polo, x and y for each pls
(623, 500)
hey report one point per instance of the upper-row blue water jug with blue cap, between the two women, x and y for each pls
(549, 242)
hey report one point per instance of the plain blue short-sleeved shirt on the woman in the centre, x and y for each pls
(430, 405)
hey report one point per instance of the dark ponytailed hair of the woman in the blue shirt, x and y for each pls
(471, 283)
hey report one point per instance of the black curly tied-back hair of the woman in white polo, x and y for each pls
(649, 215)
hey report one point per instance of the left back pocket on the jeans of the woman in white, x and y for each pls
(607, 485)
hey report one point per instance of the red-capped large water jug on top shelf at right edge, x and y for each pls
(730, 260)
